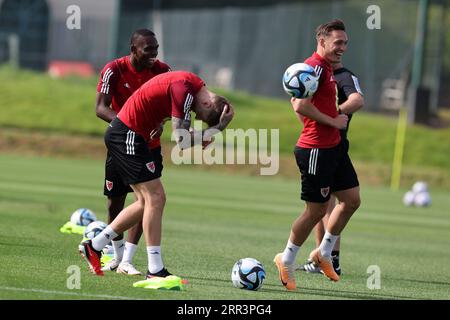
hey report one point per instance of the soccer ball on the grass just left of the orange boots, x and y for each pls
(248, 273)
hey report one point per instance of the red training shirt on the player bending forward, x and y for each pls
(160, 98)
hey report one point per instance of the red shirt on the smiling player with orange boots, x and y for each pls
(314, 134)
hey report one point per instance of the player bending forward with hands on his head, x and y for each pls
(169, 95)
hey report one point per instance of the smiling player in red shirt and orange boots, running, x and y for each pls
(320, 157)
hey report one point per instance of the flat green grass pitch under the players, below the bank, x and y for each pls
(211, 220)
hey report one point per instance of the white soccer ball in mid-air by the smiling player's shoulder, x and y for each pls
(300, 81)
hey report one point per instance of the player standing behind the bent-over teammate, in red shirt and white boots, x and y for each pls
(118, 80)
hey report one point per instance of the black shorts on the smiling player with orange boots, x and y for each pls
(324, 171)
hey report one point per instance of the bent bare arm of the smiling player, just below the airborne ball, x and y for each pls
(305, 108)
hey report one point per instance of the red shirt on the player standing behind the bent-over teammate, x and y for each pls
(119, 79)
